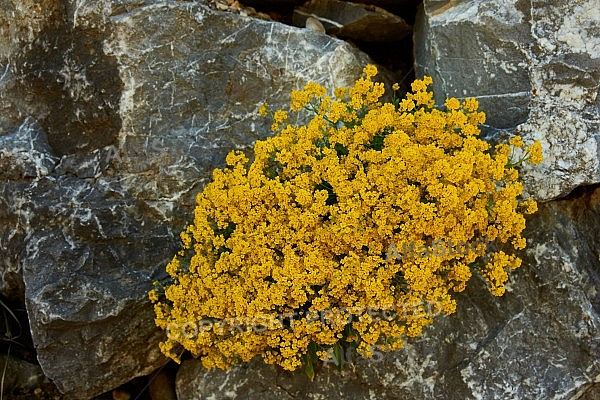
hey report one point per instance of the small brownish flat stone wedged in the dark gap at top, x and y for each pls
(354, 21)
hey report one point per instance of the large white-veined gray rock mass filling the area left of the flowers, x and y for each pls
(139, 101)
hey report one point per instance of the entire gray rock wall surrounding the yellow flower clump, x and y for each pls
(114, 113)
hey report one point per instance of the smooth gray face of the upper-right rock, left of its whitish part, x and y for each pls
(477, 49)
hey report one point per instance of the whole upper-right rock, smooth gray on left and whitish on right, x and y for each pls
(533, 65)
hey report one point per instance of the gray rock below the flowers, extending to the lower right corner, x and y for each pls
(540, 341)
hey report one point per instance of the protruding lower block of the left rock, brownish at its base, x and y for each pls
(94, 251)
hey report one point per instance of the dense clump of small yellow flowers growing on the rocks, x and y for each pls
(287, 254)
